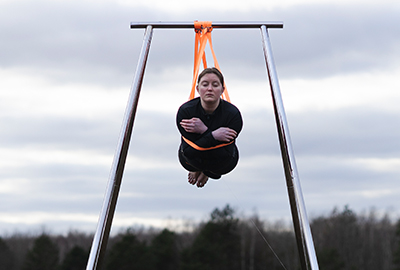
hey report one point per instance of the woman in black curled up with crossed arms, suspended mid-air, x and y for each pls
(209, 127)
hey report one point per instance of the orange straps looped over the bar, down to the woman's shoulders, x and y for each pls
(203, 33)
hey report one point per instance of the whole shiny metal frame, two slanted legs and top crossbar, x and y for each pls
(302, 229)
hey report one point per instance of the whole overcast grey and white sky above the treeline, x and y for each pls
(66, 69)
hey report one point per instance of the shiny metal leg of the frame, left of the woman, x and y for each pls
(107, 213)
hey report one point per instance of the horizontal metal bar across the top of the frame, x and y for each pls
(256, 24)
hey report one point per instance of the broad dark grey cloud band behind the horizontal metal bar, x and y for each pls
(93, 43)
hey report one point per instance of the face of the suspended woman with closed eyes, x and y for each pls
(210, 88)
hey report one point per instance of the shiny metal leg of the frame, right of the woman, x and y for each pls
(301, 224)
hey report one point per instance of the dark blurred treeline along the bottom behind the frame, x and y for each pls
(343, 241)
